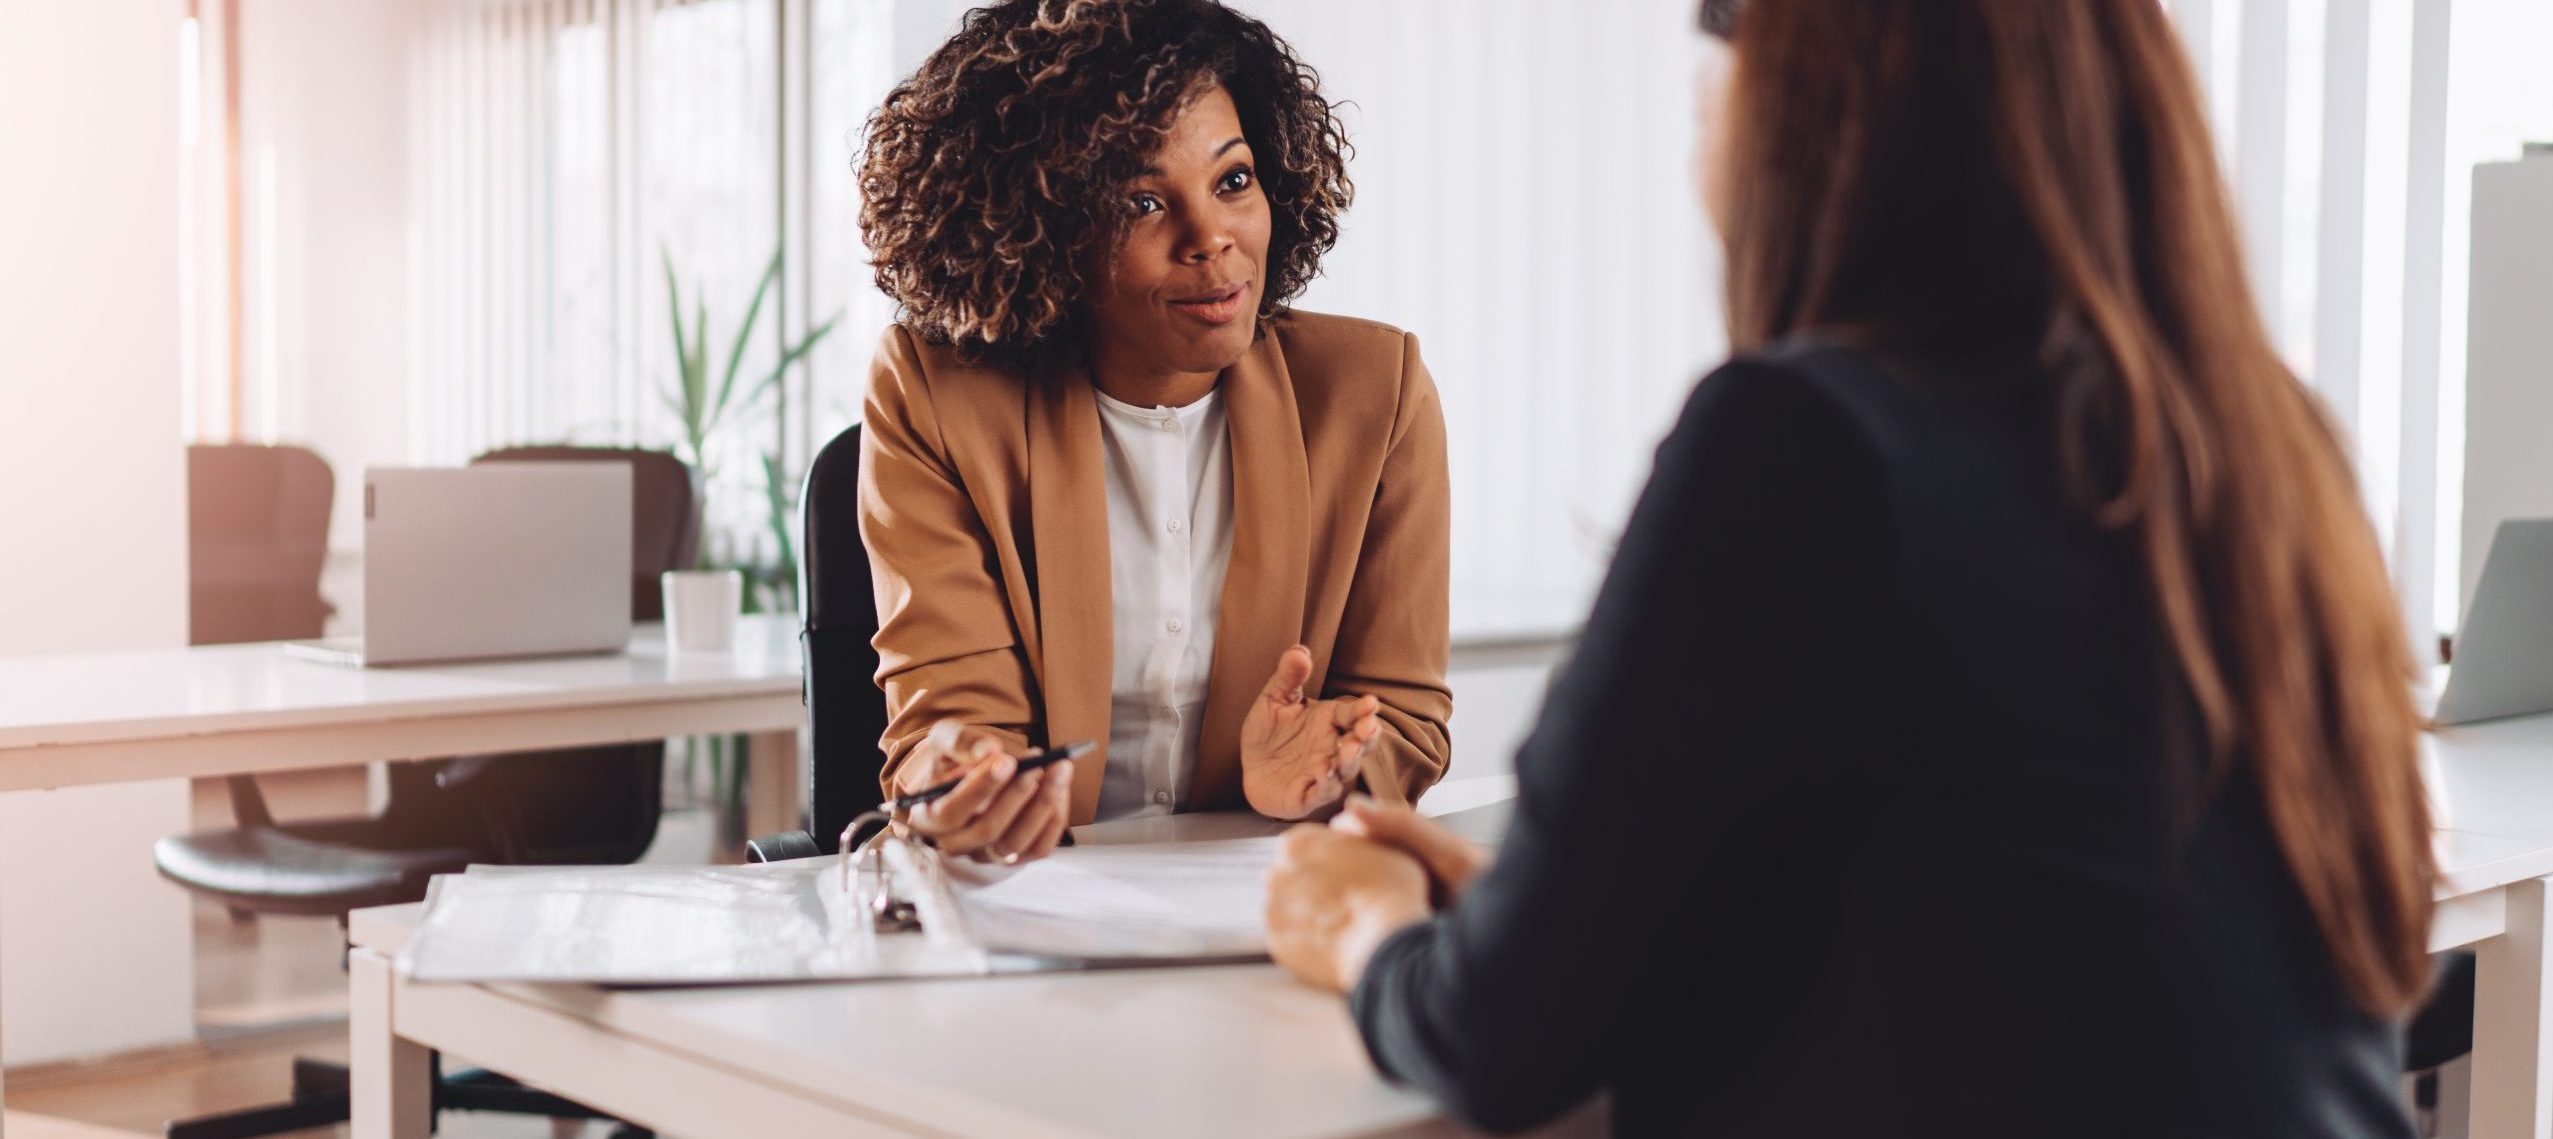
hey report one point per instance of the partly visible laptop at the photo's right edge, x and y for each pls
(2506, 647)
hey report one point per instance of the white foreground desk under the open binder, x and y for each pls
(1183, 1053)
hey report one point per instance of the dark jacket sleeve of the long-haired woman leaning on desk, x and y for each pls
(1671, 765)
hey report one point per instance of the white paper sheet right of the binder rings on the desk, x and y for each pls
(1125, 905)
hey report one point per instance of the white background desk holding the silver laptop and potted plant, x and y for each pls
(190, 714)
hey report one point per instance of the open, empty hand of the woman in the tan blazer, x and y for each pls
(1301, 755)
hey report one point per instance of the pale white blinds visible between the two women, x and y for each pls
(1525, 206)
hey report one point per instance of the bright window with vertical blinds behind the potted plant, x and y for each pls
(571, 152)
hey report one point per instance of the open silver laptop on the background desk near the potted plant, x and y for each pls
(491, 561)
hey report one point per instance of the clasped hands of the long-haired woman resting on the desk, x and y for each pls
(1334, 900)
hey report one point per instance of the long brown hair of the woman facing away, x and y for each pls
(2039, 175)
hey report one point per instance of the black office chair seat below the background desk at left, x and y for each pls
(277, 872)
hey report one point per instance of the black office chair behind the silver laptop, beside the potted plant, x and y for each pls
(581, 806)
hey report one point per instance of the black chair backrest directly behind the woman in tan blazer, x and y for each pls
(846, 714)
